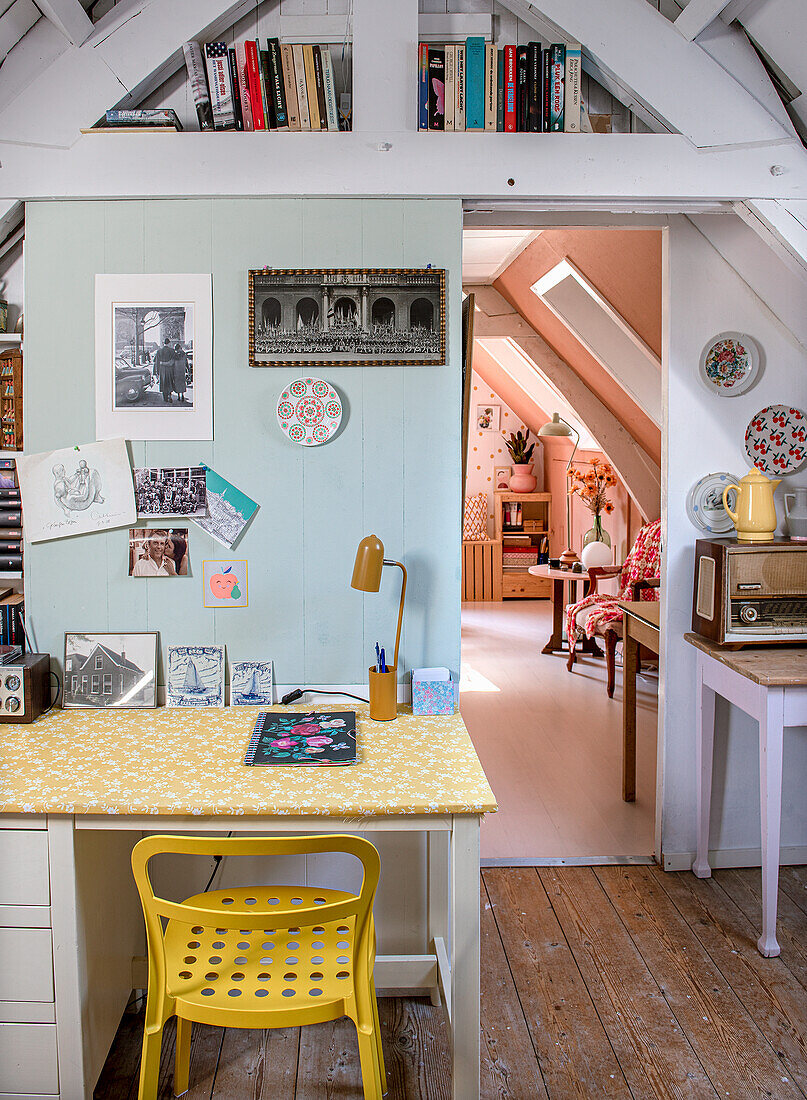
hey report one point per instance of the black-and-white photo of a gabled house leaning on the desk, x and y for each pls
(110, 670)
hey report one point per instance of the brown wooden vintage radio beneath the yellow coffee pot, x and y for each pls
(750, 593)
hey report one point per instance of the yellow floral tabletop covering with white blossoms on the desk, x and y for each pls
(186, 762)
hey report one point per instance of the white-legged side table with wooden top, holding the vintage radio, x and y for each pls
(770, 684)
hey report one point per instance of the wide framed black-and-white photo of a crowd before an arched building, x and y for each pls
(357, 317)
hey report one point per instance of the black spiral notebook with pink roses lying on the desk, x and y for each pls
(320, 740)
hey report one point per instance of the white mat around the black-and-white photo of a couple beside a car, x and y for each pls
(170, 423)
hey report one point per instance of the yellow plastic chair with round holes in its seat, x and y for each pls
(261, 956)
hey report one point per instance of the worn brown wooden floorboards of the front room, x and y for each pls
(616, 983)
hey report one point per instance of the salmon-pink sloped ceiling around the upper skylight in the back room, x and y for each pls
(625, 266)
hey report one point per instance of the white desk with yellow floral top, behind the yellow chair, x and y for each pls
(82, 787)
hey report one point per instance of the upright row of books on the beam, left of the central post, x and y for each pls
(247, 87)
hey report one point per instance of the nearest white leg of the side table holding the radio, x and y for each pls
(771, 739)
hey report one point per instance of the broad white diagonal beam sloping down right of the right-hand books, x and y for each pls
(667, 78)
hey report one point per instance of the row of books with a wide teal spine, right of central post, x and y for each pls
(515, 90)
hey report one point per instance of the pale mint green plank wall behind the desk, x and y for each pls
(393, 469)
